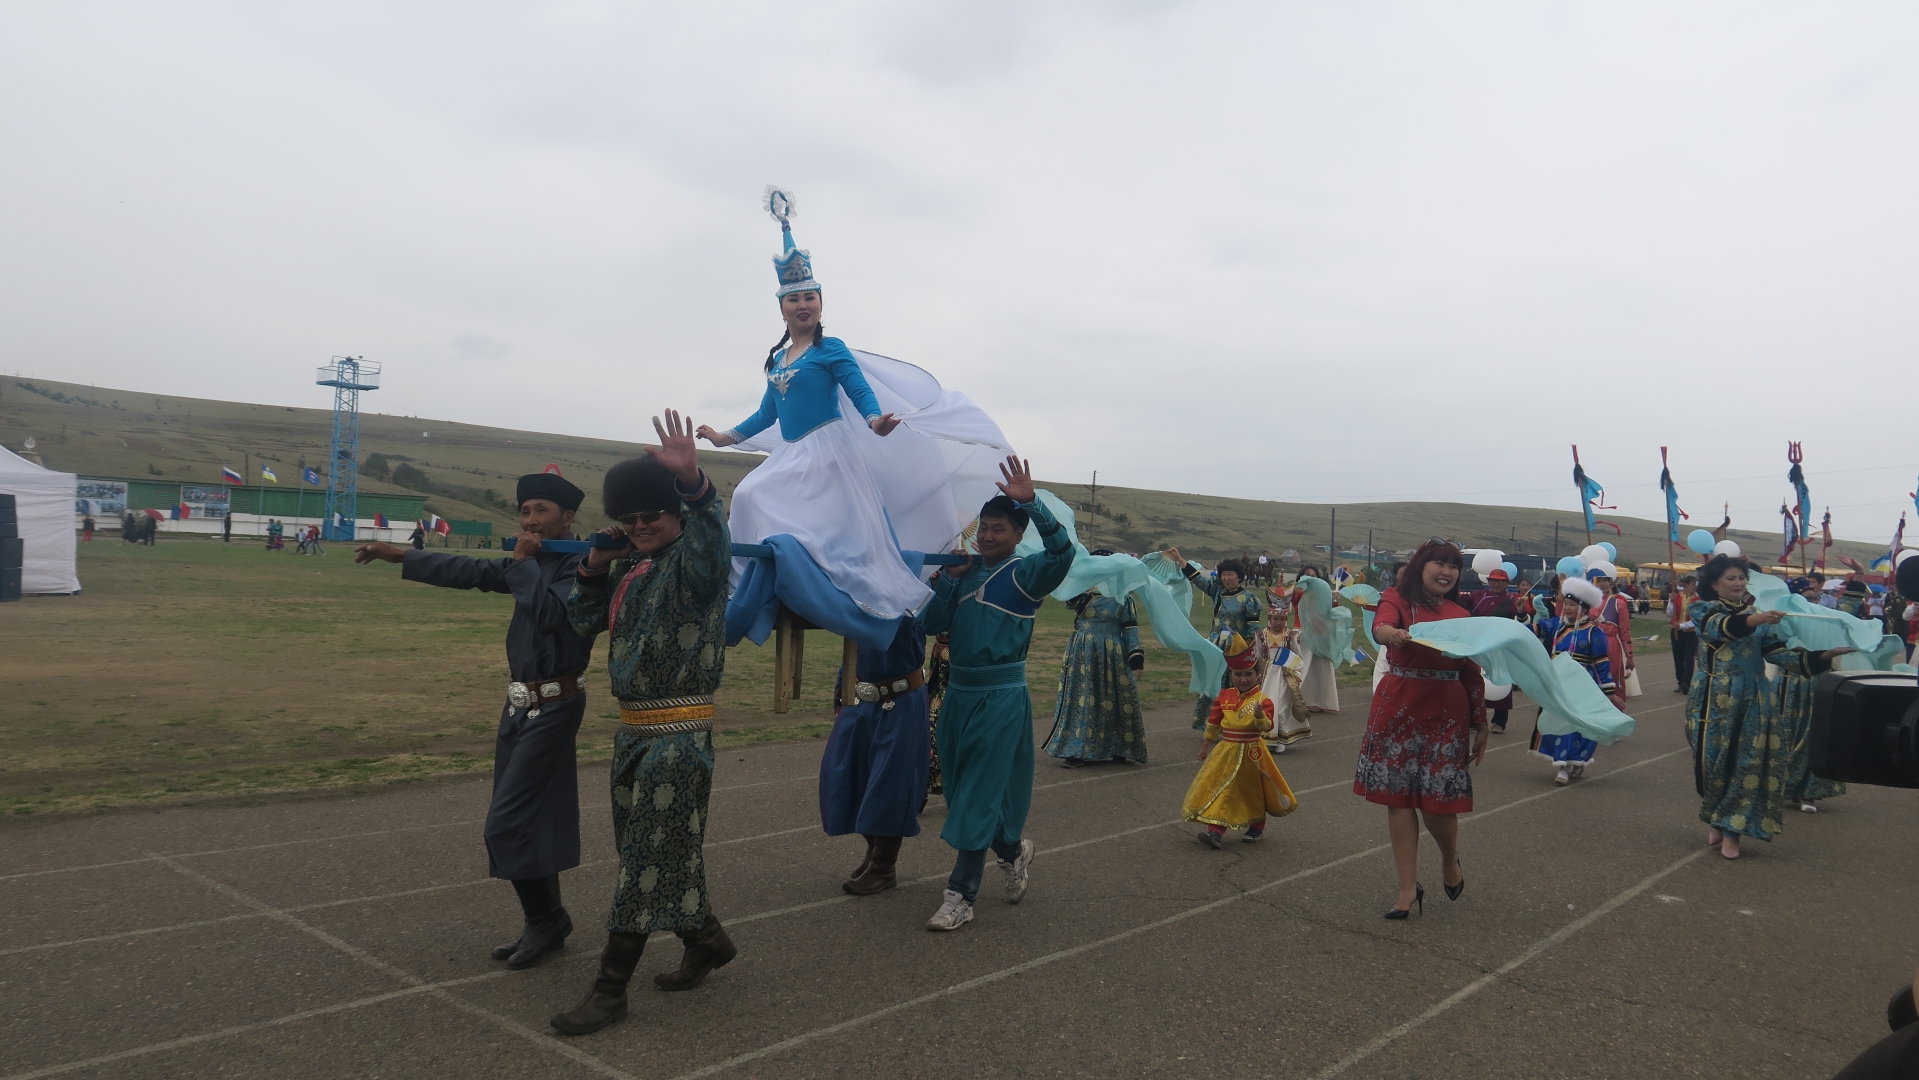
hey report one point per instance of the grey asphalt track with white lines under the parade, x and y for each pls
(1598, 935)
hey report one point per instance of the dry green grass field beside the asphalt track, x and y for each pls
(199, 669)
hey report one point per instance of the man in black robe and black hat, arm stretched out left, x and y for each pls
(533, 830)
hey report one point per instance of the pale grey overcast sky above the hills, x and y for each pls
(1325, 252)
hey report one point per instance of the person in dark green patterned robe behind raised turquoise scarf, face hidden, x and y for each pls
(1099, 713)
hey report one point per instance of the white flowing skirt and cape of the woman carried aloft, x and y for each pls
(855, 500)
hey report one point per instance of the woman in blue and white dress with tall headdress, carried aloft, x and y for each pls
(872, 456)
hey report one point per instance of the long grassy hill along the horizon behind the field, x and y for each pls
(469, 471)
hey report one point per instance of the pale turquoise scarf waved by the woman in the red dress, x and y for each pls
(1511, 655)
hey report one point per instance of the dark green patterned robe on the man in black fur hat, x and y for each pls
(669, 642)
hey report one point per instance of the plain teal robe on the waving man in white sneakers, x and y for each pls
(985, 736)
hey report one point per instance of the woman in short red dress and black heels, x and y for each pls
(1427, 726)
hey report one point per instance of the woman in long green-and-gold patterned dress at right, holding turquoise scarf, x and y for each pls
(1732, 720)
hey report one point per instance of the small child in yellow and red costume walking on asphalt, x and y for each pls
(1239, 786)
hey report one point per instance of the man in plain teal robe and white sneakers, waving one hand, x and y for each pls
(985, 736)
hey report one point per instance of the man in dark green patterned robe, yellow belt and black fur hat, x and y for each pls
(663, 603)
